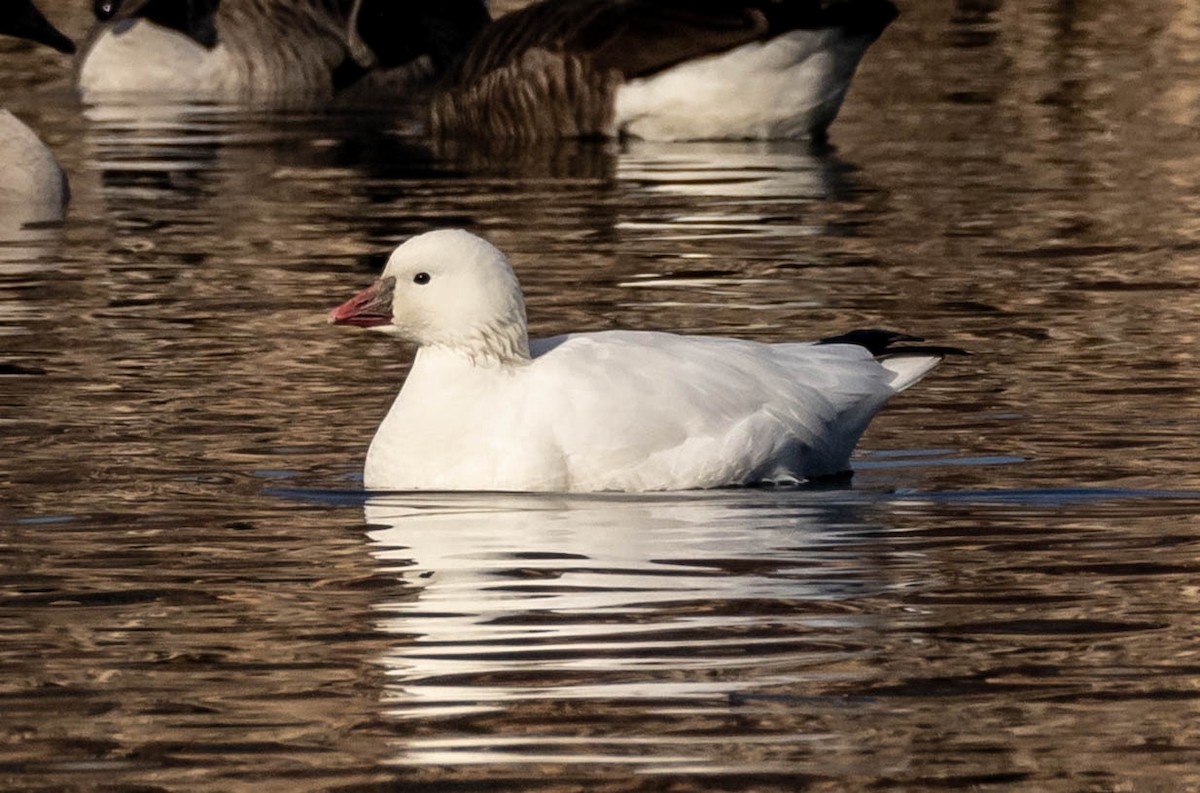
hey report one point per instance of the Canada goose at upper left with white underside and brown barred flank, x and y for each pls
(274, 52)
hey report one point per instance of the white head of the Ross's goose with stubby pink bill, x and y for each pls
(447, 290)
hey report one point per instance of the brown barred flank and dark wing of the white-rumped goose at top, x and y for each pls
(553, 69)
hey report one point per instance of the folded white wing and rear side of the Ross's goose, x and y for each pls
(665, 411)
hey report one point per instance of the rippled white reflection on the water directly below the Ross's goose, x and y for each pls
(507, 587)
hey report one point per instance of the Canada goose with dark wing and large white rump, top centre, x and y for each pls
(661, 69)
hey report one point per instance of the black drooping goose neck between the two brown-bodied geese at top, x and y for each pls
(399, 33)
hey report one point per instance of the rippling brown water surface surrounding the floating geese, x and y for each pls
(194, 597)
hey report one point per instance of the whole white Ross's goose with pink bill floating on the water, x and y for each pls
(487, 410)
